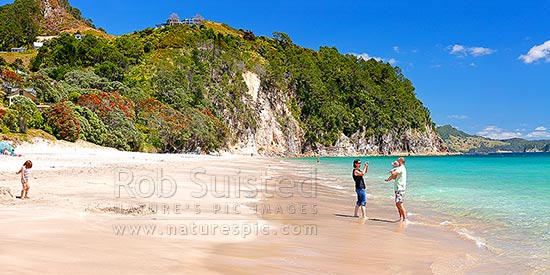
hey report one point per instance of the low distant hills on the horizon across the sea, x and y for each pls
(461, 142)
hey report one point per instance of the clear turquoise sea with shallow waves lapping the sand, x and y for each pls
(501, 202)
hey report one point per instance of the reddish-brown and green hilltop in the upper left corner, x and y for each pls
(26, 19)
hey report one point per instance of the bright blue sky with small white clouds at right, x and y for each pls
(480, 66)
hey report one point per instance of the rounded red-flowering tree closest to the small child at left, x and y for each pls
(62, 121)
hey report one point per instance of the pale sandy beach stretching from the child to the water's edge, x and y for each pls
(96, 210)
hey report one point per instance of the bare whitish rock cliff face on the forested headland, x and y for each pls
(278, 133)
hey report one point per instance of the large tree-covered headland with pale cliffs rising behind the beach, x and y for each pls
(209, 87)
